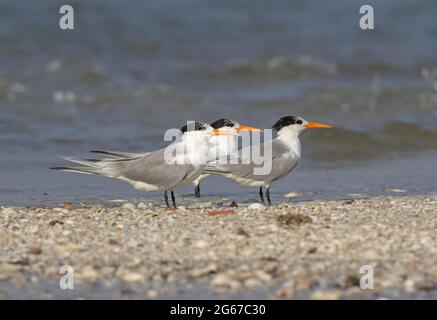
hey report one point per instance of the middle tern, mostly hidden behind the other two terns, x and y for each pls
(222, 145)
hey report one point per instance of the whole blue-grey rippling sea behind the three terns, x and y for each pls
(132, 69)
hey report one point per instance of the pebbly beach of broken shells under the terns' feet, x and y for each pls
(211, 250)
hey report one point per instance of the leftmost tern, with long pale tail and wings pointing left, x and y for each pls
(157, 170)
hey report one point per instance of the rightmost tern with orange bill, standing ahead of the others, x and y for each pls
(286, 154)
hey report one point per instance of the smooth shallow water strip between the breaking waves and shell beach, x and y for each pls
(395, 177)
